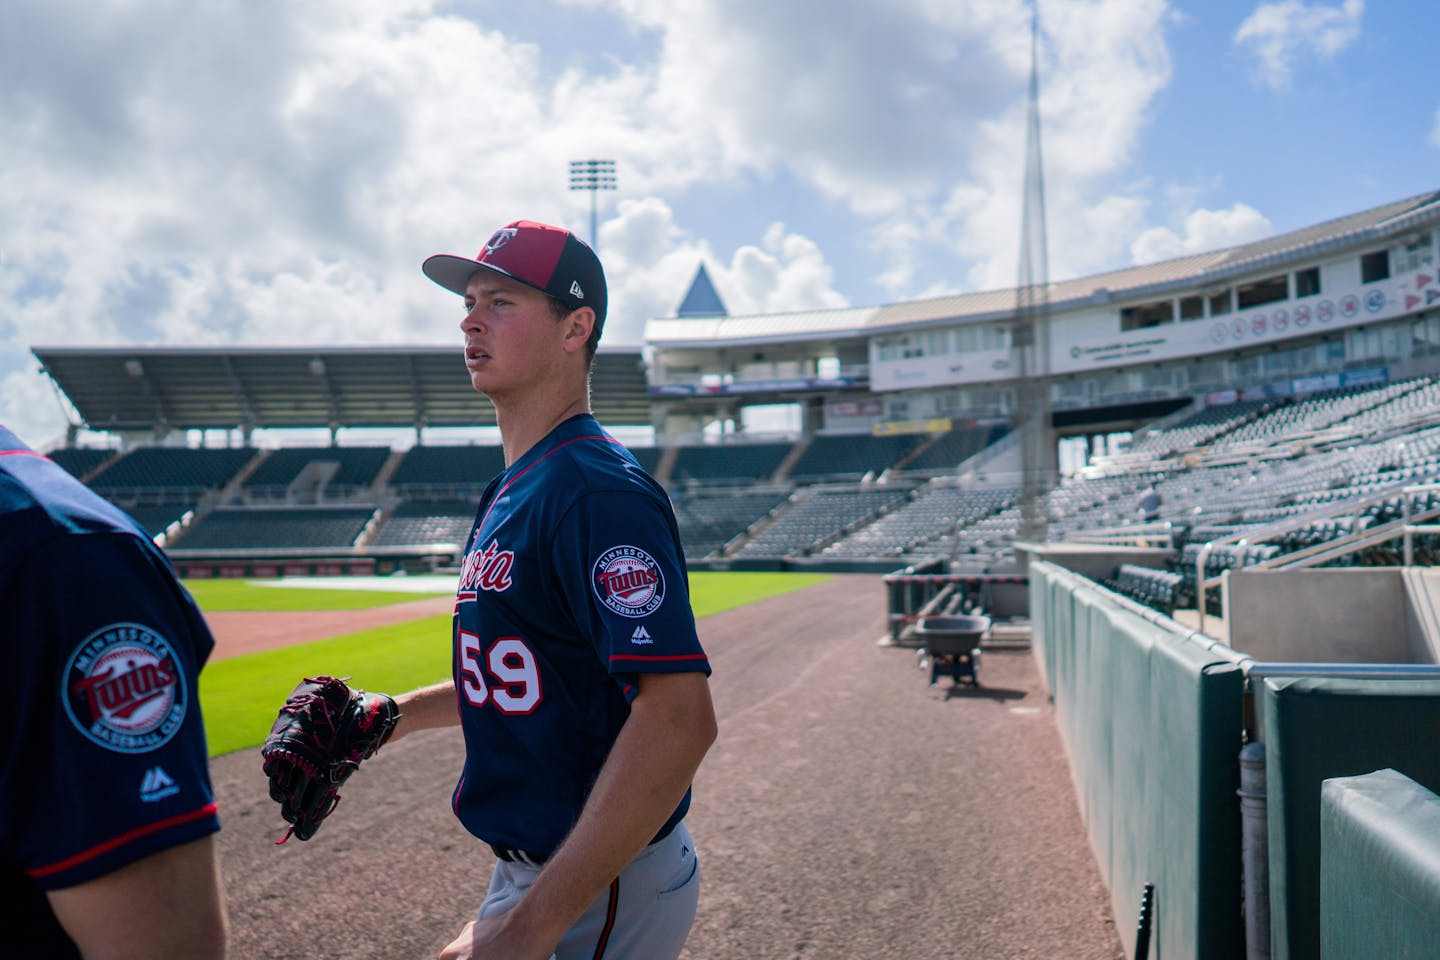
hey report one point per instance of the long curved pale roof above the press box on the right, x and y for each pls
(1151, 280)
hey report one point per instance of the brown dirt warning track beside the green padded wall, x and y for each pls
(847, 811)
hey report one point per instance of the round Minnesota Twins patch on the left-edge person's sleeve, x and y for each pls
(125, 690)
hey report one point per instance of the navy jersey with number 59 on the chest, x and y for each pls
(574, 585)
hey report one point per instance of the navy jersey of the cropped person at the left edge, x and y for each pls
(103, 755)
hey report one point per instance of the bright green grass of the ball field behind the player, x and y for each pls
(240, 696)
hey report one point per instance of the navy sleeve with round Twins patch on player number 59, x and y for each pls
(621, 571)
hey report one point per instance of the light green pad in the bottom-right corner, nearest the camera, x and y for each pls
(1380, 869)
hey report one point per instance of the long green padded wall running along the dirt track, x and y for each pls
(1151, 719)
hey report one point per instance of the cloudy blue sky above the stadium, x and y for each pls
(273, 173)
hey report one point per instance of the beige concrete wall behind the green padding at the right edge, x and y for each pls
(1330, 617)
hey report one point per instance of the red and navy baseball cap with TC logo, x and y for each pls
(548, 258)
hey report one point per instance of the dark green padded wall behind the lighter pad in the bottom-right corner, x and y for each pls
(1317, 729)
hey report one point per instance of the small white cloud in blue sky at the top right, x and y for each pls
(1282, 34)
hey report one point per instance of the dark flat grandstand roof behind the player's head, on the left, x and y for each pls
(225, 388)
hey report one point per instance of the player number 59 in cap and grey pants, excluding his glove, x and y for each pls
(580, 680)
